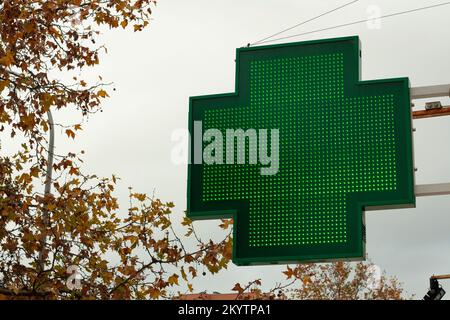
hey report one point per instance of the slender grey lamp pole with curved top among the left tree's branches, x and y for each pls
(47, 188)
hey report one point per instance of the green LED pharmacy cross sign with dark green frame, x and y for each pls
(320, 147)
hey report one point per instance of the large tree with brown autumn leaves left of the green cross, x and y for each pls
(131, 253)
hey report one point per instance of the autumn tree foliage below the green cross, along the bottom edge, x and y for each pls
(329, 281)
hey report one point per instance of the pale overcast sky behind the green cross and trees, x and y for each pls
(189, 50)
